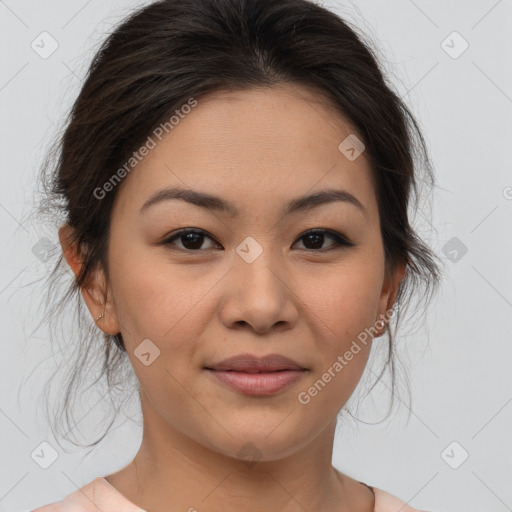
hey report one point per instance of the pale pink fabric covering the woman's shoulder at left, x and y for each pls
(96, 495)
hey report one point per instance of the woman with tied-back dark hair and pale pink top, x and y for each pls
(236, 178)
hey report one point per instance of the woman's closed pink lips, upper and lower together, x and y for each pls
(257, 376)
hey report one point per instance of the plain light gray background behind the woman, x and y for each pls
(458, 361)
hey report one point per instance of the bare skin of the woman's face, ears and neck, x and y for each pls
(259, 149)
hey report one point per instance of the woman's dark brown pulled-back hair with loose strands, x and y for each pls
(172, 50)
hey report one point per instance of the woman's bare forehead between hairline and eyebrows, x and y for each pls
(256, 147)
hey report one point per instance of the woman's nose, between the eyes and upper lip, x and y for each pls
(259, 296)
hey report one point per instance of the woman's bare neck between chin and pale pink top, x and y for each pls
(171, 472)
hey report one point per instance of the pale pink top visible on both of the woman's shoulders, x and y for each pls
(100, 496)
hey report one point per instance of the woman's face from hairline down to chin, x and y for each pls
(254, 282)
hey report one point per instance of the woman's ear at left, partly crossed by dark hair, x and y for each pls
(95, 293)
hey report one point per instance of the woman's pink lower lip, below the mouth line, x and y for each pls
(260, 384)
